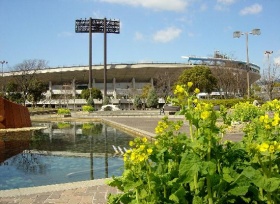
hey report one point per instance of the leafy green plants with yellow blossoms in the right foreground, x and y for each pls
(199, 166)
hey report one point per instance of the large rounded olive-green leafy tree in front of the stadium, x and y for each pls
(201, 76)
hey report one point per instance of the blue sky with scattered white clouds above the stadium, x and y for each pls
(151, 30)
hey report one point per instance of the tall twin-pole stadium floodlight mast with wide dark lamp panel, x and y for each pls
(97, 26)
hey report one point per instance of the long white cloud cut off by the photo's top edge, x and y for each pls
(169, 5)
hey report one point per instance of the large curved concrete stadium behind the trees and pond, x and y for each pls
(123, 81)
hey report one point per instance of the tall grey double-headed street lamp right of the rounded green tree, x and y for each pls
(237, 34)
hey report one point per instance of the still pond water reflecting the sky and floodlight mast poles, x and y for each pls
(61, 153)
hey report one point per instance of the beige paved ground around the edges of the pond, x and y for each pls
(95, 191)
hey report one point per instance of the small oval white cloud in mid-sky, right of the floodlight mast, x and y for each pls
(167, 34)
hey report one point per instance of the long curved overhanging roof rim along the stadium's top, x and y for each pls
(141, 72)
